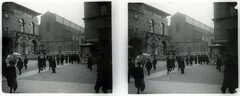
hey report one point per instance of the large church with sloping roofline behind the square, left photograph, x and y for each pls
(60, 36)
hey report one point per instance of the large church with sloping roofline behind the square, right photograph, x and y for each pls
(190, 36)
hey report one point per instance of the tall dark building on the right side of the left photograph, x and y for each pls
(98, 27)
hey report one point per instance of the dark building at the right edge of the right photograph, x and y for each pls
(226, 28)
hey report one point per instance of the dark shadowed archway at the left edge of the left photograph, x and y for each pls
(7, 46)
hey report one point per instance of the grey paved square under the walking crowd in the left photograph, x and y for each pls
(69, 78)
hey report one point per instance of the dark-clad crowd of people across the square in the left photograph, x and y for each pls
(104, 68)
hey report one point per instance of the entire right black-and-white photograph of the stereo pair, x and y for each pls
(182, 47)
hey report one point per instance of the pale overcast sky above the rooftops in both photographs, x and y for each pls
(74, 11)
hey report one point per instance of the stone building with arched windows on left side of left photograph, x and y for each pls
(19, 30)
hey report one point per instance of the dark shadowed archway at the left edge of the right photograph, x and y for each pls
(136, 44)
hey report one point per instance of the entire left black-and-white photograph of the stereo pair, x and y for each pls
(56, 47)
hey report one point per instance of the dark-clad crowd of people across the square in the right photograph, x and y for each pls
(230, 69)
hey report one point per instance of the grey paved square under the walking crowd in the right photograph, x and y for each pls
(198, 79)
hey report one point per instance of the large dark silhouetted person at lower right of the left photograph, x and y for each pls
(104, 74)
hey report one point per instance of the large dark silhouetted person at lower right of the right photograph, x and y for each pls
(230, 80)
